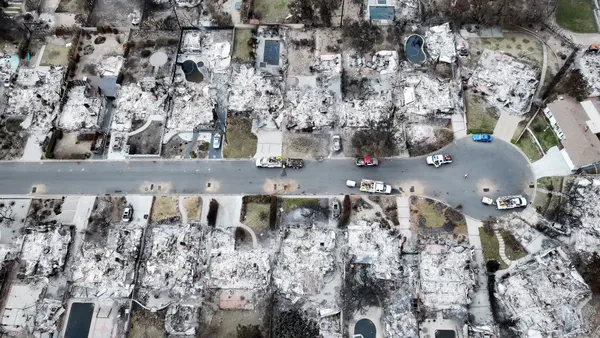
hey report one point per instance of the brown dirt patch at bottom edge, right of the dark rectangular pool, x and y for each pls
(145, 324)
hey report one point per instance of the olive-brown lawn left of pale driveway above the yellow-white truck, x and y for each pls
(239, 140)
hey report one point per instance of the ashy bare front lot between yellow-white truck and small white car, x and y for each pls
(306, 145)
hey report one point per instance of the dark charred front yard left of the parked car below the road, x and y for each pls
(106, 211)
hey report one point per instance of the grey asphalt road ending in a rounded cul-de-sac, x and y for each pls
(496, 166)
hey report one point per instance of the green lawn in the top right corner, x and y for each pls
(576, 16)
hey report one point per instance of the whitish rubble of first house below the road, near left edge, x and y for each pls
(45, 251)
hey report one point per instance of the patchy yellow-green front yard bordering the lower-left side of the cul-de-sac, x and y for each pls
(430, 216)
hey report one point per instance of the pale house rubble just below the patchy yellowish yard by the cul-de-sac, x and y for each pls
(447, 279)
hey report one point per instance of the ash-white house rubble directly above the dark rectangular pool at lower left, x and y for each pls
(106, 269)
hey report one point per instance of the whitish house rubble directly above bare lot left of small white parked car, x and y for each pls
(313, 108)
